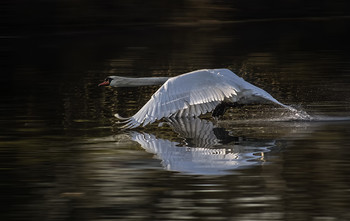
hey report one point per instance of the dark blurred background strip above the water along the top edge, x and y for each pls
(60, 16)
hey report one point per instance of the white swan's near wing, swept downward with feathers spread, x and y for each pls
(190, 94)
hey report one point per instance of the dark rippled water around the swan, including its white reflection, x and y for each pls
(64, 158)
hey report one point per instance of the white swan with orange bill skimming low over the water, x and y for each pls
(191, 94)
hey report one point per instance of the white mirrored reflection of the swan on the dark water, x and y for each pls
(207, 149)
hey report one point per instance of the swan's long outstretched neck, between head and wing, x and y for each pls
(135, 82)
